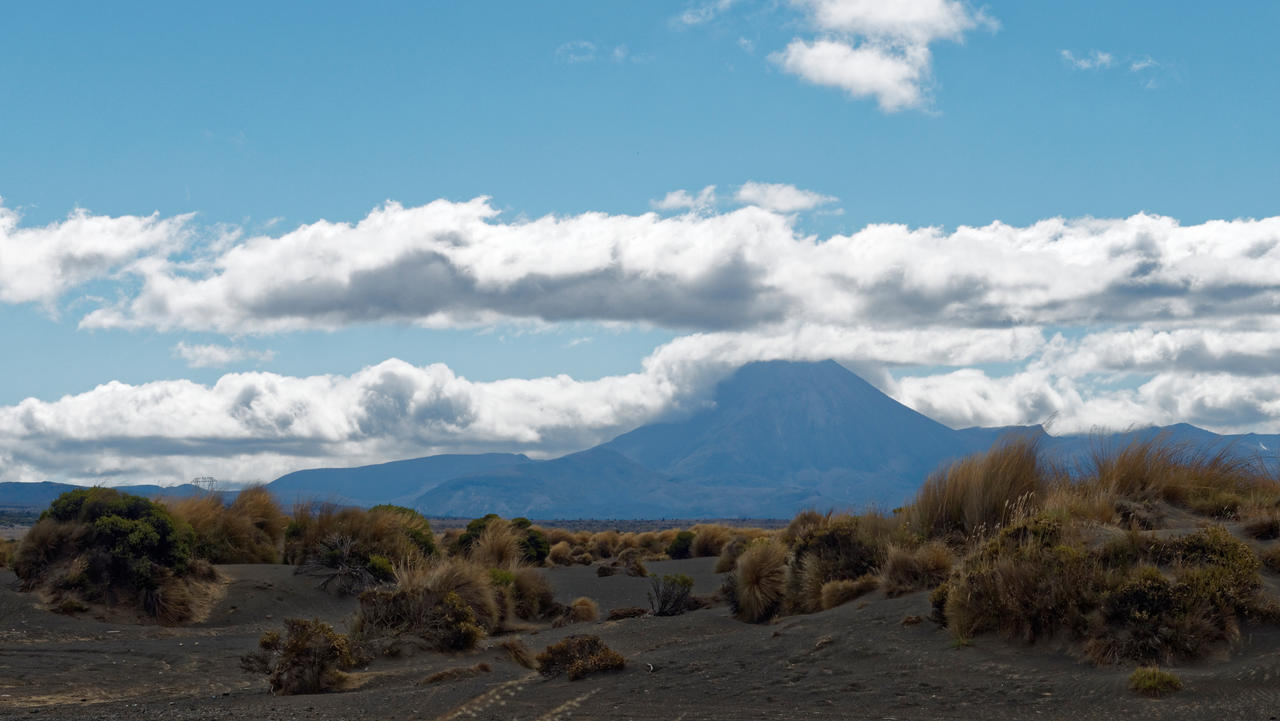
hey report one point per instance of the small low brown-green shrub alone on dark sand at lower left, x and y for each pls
(310, 659)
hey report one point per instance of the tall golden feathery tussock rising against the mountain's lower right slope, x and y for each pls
(981, 492)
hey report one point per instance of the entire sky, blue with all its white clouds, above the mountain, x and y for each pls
(934, 116)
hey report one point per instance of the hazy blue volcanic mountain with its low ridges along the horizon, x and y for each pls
(779, 437)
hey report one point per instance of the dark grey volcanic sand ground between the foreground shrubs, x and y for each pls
(858, 661)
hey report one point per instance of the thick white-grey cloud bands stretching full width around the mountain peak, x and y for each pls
(1082, 322)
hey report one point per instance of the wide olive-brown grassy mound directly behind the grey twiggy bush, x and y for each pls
(351, 550)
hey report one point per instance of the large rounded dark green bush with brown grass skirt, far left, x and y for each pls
(102, 546)
